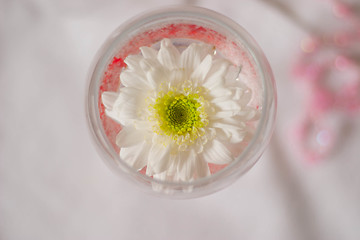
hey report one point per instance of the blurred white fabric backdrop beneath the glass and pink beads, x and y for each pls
(53, 184)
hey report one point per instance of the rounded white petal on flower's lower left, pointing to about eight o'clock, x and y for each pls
(129, 136)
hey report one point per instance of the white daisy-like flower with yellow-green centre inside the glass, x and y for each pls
(178, 111)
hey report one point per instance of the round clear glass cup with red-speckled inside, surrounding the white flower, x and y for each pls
(182, 25)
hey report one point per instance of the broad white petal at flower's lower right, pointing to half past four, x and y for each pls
(215, 152)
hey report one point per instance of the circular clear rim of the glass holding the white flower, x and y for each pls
(245, 157)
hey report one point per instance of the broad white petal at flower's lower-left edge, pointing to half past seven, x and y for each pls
(136, 156)
